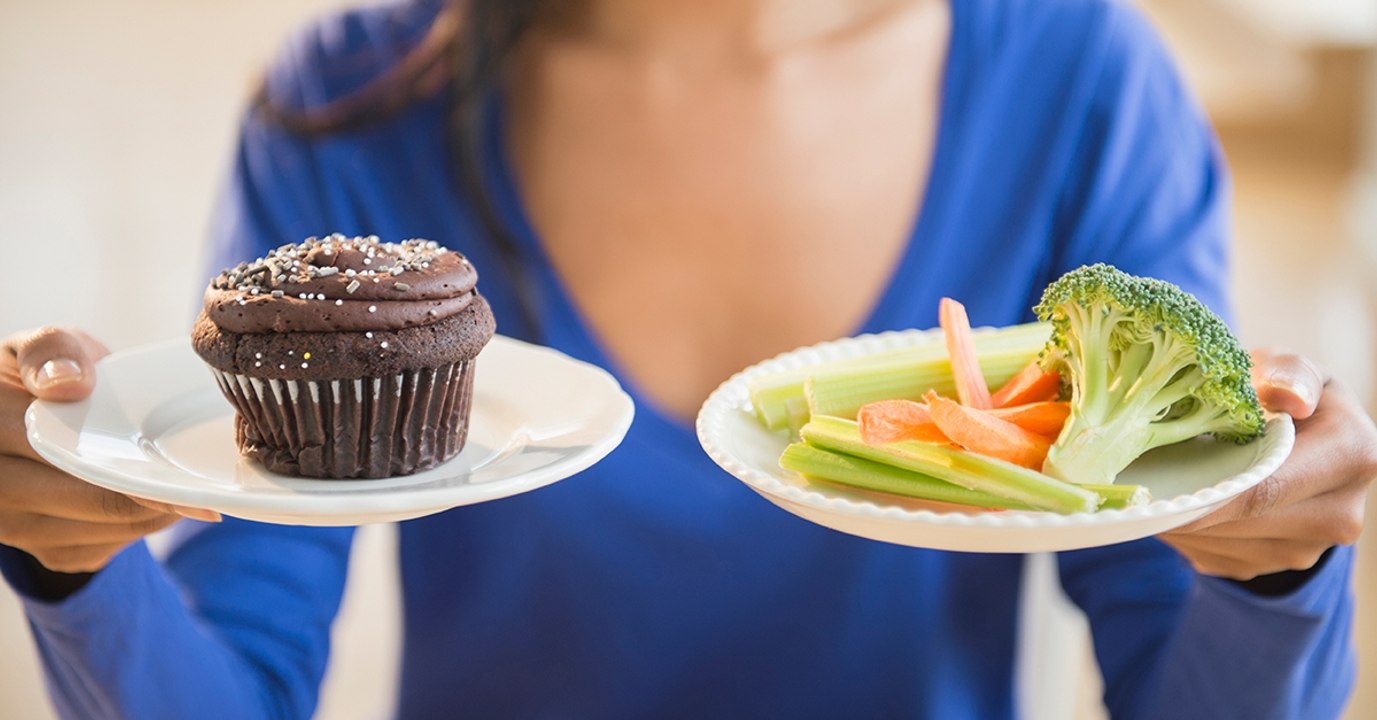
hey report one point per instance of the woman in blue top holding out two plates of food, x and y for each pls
(675, 191)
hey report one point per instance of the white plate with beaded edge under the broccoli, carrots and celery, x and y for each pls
(1186, 480)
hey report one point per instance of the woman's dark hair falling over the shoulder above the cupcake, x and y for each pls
(465, 49)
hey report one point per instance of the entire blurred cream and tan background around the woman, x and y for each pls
(118, 127)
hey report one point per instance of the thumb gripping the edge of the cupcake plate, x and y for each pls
(57, 364)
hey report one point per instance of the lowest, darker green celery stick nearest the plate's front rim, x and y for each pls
(870, 476)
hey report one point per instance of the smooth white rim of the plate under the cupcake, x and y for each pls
(620, 407)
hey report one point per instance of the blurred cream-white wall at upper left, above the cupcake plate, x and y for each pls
(116, 123)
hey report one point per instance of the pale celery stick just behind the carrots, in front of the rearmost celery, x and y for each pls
(841, 396)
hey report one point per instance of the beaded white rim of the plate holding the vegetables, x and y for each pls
(732, 397)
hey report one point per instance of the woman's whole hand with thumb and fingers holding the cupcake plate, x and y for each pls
(64, 522)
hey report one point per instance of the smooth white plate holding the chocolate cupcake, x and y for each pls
(158, 427)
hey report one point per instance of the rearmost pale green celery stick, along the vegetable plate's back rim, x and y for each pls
(770, 394)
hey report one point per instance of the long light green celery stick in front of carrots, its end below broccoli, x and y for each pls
(959, 467)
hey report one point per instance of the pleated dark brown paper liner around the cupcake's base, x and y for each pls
(377, 427)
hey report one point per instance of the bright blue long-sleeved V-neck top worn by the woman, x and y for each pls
(653, 584)
